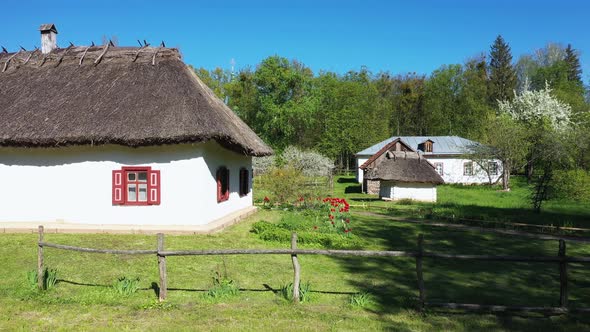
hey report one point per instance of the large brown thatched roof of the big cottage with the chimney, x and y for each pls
(129, 96)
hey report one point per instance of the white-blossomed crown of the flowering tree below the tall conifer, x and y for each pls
(534, 107)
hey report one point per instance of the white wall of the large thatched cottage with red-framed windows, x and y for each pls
(74, 184)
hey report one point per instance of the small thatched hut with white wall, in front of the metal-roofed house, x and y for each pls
(406, 175)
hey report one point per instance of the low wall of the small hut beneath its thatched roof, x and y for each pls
(424, 192)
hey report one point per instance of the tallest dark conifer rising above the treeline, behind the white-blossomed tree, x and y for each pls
(502, 74)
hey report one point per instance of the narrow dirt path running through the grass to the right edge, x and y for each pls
(476, 228)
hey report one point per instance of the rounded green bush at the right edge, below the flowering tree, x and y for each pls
(573, 185)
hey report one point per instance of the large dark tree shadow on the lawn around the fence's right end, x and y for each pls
(393, 281)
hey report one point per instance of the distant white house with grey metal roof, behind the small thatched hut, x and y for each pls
(448, 154)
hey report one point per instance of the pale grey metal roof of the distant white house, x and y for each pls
(441, 145)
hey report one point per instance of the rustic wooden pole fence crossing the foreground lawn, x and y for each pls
(561, 259)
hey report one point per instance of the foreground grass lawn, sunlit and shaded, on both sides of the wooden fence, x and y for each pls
(83, 299)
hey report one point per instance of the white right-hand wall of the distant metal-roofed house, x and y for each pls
(453, 170)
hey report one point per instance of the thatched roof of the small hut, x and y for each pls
(405, 167)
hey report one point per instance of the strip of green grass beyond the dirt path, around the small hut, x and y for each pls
(477, 202)
